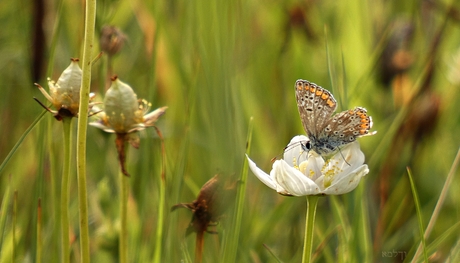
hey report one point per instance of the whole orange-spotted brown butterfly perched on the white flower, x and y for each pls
(327, 132)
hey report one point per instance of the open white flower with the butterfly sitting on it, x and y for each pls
(302, 173)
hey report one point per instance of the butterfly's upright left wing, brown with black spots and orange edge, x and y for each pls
(316, 105)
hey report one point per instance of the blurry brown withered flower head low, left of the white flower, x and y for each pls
(211, 203)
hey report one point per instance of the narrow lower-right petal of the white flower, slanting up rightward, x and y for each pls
(348, 182)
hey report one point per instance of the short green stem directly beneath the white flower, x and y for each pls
(312, 201)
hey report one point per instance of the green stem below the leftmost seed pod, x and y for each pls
(67, 124)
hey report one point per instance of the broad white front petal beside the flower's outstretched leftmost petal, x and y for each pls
(292, 180)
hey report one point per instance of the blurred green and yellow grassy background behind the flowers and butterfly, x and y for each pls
(216, 64)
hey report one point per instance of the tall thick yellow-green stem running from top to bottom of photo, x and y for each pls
(90, 20)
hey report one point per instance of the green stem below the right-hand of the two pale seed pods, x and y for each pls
(123, 249)
